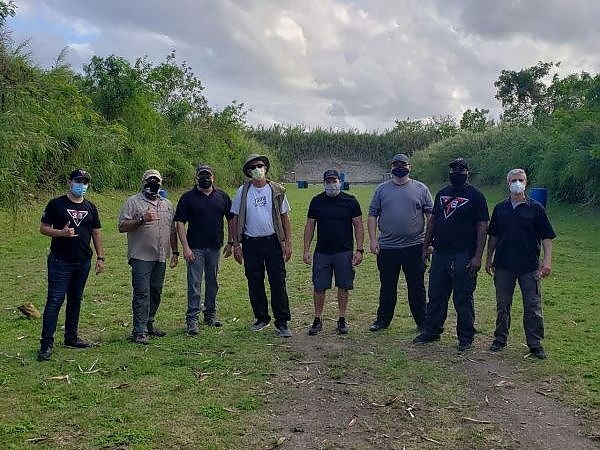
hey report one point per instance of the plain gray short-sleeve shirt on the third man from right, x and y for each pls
(400, 211)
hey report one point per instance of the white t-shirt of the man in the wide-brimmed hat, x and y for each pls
(259, 206)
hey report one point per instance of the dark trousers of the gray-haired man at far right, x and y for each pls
(533, 321)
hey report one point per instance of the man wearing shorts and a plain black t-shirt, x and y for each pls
(335, 215)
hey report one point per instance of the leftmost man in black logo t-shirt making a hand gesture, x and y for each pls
(71, 221)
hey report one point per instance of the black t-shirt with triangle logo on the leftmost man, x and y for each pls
(81, 216)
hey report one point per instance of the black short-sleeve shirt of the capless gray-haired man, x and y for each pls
(520, 232)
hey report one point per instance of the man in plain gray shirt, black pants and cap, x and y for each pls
(399, 209)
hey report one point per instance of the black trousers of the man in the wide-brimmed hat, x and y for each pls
(260, 254)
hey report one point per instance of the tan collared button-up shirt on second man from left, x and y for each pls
(151, 241)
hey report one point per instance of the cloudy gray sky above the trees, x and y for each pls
(332, 63)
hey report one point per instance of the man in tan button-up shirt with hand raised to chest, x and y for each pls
(147, 218)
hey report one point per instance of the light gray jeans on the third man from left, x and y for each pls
(207, 262)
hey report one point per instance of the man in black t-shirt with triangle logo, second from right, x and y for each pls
(457, 232)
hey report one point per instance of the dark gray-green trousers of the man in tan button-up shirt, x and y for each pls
(147, 278)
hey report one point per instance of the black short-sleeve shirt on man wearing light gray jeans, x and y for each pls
(205, 216)
